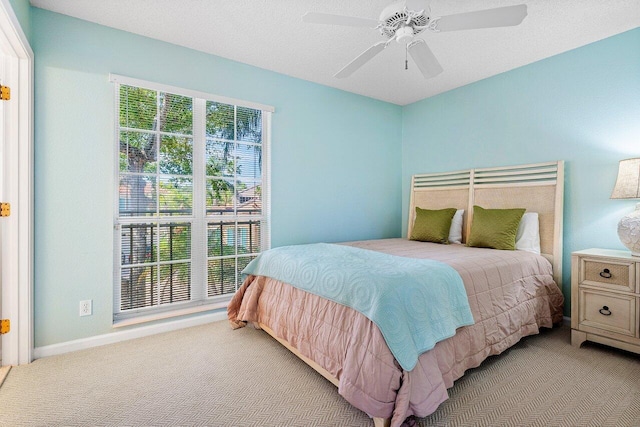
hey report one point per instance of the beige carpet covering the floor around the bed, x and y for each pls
(211, 375)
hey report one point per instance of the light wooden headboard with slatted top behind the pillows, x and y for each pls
(537, 187)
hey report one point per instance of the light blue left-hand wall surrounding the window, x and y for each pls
(335, 159)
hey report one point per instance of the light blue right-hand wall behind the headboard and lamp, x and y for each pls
(582, 107)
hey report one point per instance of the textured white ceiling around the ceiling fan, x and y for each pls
(270, 34)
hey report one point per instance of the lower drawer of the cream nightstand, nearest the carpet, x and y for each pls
(608, 311)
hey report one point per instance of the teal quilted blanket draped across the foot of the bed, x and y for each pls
(414, 302)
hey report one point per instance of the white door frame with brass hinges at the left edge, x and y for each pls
(17, 229)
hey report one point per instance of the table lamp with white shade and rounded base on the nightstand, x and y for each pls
(628, 187)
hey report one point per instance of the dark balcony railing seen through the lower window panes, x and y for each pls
(156, 266)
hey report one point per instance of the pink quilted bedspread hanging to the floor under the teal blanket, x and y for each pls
(511, 294)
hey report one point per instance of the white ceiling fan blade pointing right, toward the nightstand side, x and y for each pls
(499, 17)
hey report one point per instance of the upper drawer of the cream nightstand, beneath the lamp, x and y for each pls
(608, 274)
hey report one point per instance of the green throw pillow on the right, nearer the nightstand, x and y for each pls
(495, 228)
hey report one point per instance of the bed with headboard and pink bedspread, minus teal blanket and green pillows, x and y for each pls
(511, 294)
